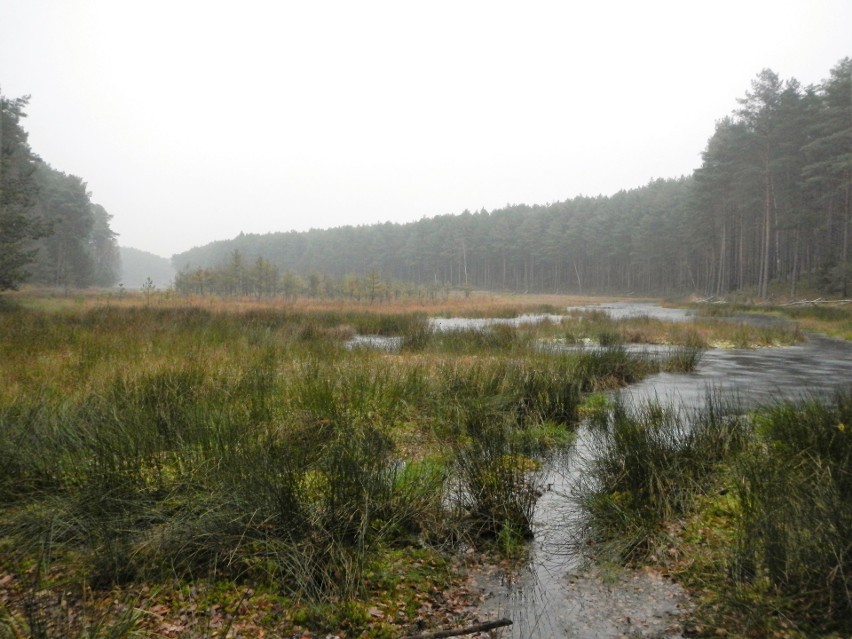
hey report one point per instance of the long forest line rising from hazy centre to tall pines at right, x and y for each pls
(767, 211)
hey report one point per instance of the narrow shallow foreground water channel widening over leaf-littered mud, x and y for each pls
(557, 593)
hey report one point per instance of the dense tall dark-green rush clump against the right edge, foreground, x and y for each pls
(795, 494)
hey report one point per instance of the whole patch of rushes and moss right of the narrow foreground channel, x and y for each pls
(752, 512)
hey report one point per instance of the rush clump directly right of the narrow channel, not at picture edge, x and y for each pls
(645, 467)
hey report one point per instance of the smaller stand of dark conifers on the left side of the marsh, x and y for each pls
(50, 231)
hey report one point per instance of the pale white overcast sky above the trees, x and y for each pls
(195, 120)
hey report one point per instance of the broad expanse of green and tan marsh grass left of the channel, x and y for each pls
(148, 446)
